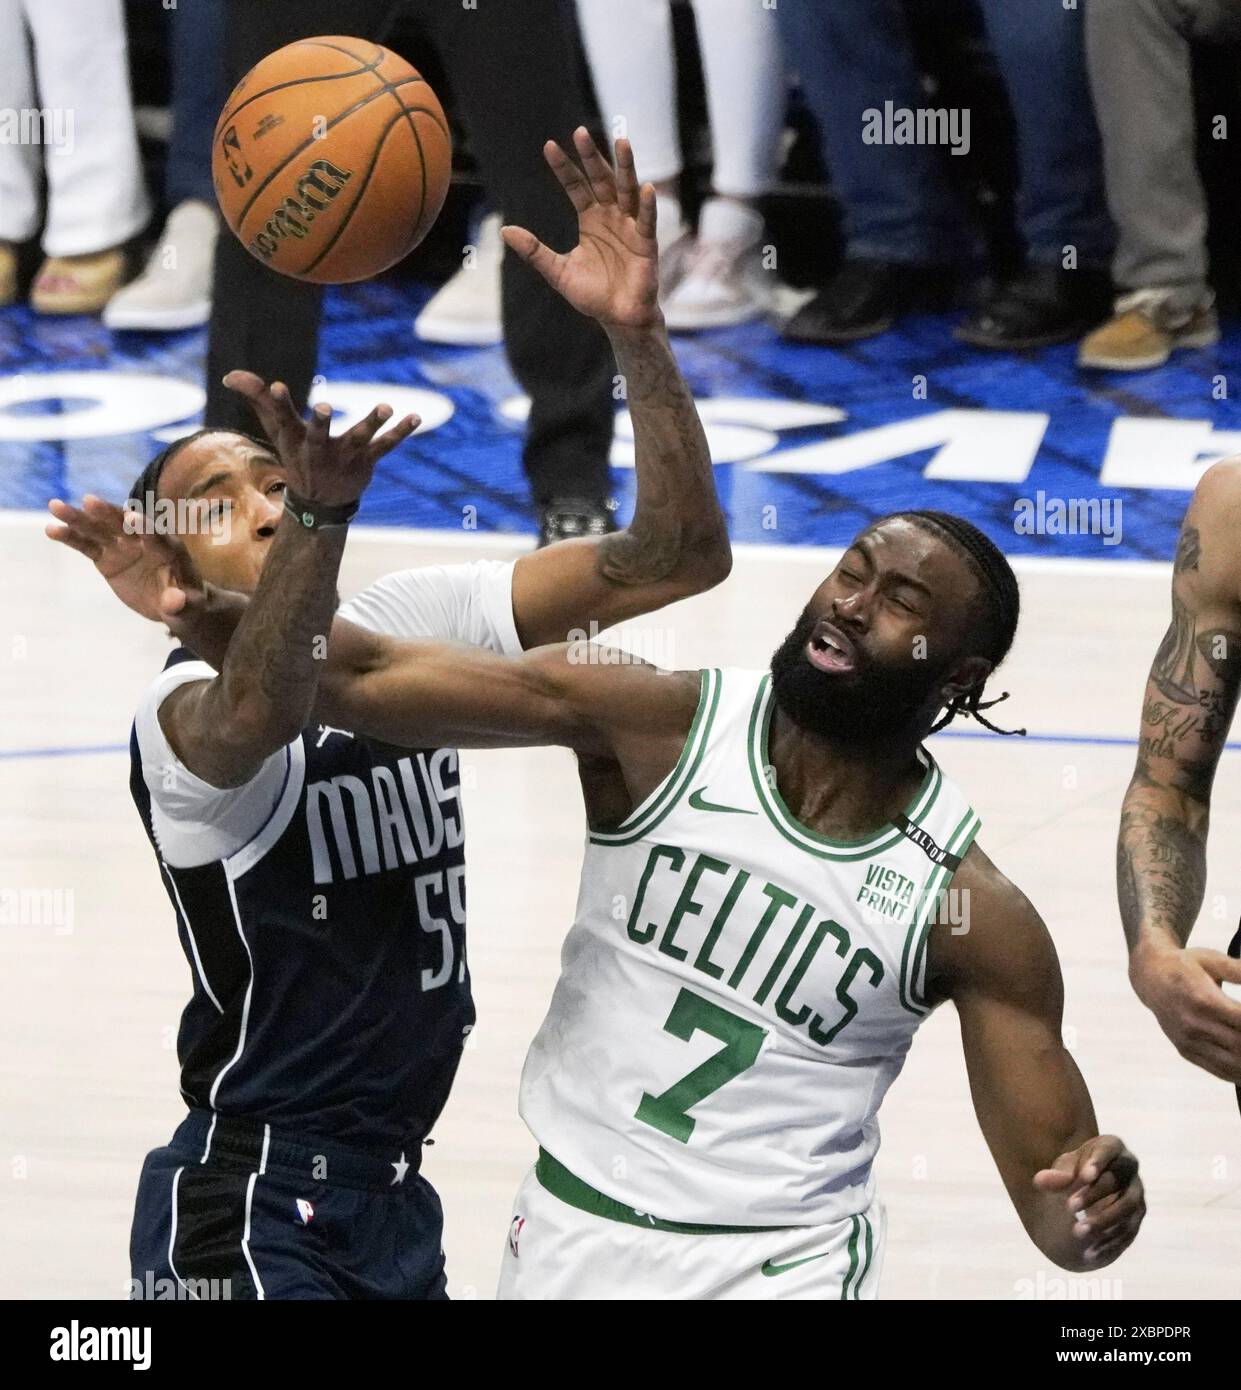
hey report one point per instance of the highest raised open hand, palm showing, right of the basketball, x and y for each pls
(614, 272)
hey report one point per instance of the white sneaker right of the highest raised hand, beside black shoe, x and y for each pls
(723, 281)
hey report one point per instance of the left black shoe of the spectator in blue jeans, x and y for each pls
(864, 300)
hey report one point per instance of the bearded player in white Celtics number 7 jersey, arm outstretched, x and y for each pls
(759, 936)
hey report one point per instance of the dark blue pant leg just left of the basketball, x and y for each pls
(198, 97)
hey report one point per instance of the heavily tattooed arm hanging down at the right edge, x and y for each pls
(1161, 860)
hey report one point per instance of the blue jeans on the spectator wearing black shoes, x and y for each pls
(854, 56)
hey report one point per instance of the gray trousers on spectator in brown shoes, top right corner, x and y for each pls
(1139, 55)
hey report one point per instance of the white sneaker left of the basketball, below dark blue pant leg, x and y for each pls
(174, 291)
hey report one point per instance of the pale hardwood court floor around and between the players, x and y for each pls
(88, 1017)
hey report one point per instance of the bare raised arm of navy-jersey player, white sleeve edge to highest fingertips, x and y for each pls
(677, 543)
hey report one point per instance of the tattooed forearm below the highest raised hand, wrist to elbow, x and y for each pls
(677, 521)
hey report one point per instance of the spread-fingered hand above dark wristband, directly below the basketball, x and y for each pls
(320, 468)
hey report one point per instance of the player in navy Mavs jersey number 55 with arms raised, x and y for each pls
(318, 875)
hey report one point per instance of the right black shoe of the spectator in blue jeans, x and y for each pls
(1043, 306)
